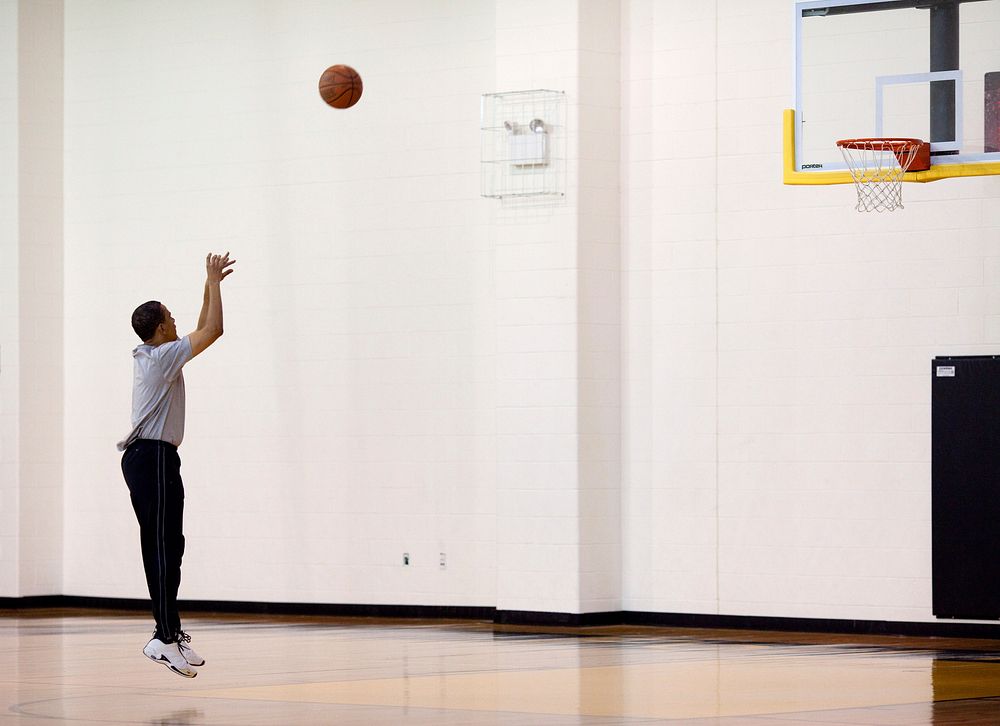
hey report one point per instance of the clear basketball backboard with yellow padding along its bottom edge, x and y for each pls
(928, 69)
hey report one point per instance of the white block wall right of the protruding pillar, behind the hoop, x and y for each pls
(778, 343)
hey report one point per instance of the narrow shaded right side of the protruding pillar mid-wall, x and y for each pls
(599, 308)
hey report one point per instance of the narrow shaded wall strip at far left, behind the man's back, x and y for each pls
(40, 296)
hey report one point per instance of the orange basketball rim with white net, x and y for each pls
(878, 165)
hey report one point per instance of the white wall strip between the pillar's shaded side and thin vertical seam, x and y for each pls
(671, 320)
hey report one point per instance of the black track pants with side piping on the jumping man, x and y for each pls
(152, 471)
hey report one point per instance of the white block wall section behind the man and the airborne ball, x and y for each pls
(347, 416)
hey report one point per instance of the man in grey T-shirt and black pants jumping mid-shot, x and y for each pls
(150, 463)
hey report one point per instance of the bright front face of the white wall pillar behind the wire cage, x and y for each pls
(536, 312)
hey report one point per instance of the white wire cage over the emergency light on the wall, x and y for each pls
(523, 144)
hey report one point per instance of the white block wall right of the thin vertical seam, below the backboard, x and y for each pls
(828, 320)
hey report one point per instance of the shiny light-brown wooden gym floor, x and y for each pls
(86, 668)
